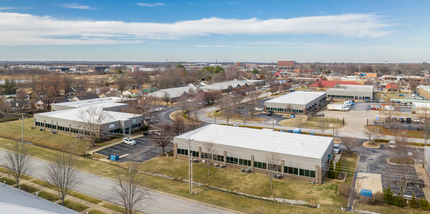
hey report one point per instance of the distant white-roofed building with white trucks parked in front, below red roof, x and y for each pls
(351, 92)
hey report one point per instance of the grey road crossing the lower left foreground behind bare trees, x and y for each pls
(101, 188)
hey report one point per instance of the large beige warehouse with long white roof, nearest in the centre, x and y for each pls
(304, 157)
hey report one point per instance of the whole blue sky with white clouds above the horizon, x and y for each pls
(205, 31)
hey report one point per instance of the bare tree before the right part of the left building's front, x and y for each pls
(93, 118)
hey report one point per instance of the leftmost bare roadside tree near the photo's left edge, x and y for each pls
(18, 161)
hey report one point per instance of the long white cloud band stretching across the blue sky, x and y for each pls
(27, 29)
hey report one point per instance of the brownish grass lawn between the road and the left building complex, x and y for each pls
(12, 130)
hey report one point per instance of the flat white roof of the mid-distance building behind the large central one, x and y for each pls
(297, 97)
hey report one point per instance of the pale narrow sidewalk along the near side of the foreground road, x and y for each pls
(90, 205)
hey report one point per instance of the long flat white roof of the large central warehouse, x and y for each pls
(303, 145)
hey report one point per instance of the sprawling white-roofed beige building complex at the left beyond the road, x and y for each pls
(66, 118)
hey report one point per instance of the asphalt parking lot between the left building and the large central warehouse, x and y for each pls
(143, 150)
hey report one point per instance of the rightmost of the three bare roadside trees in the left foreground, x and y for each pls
(127, 185)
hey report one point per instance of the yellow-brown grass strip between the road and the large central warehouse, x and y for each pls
(253, 183)
